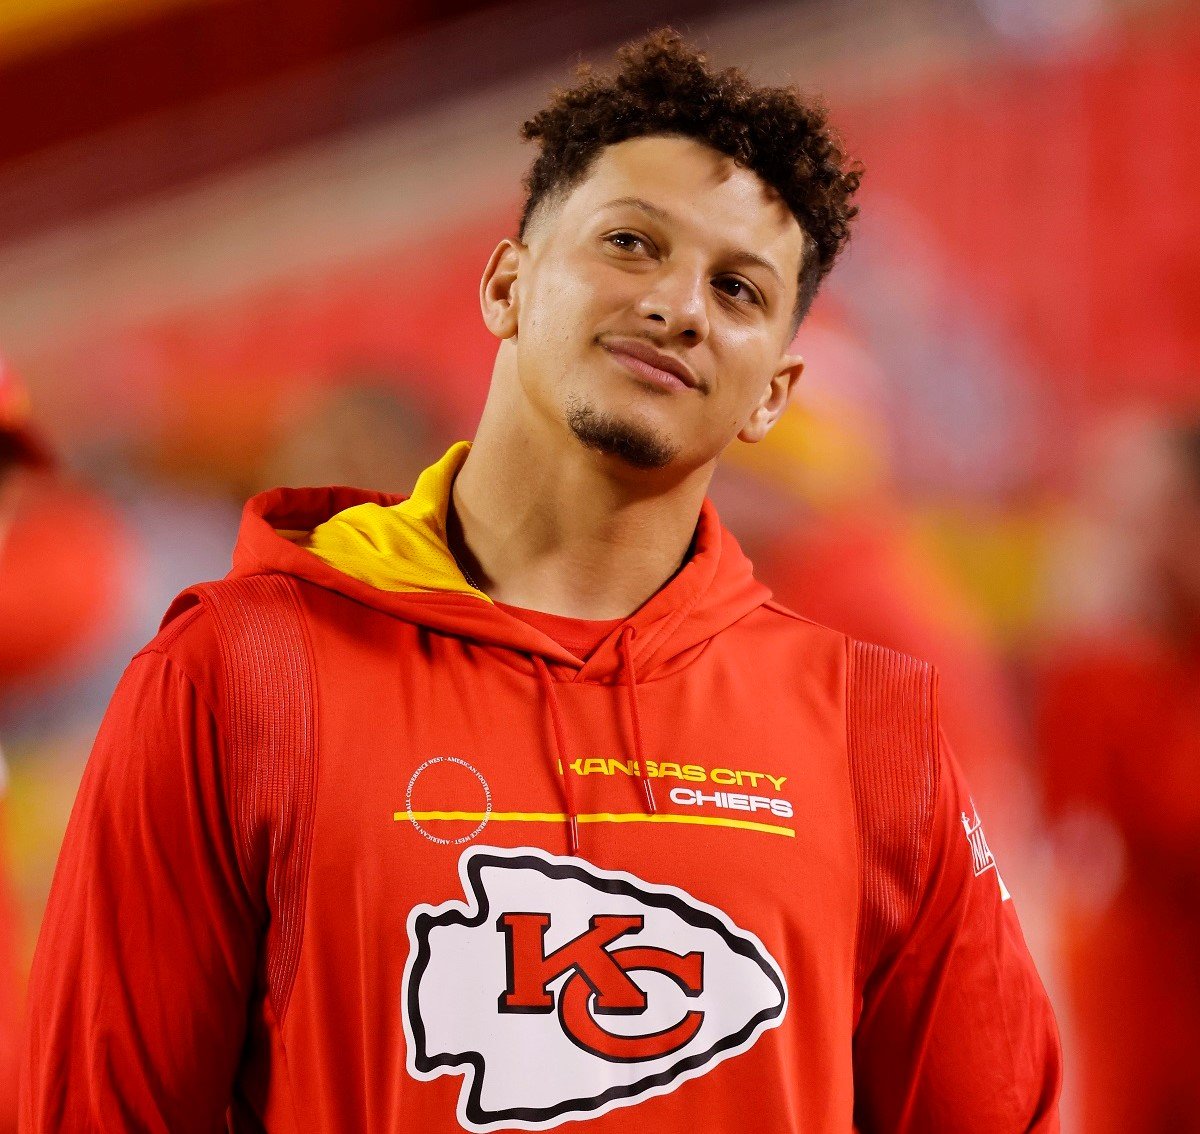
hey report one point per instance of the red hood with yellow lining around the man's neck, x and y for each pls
(391, 553)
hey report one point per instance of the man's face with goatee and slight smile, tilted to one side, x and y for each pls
(653, 305)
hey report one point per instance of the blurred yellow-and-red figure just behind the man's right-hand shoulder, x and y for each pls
(839, 544)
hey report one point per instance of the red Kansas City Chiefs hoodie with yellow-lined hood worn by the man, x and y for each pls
(359, 850)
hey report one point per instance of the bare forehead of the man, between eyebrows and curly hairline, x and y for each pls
(705, 191)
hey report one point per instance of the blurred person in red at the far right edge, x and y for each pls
(1120, 735)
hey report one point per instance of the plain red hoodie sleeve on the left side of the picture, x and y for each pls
(147, 958)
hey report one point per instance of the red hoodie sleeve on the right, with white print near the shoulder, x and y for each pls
(957, 1033)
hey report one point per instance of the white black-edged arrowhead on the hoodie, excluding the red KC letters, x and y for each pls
(523, 1070)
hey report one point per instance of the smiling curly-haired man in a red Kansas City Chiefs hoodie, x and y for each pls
(518, 803)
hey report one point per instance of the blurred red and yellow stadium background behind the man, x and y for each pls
(239, 247)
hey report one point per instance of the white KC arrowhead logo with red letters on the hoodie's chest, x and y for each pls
(561, 992)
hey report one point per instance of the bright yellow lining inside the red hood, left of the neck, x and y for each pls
(400, 549)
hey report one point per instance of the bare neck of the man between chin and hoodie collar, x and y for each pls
(542, 523)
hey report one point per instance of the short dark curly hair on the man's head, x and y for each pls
(664, 87)
